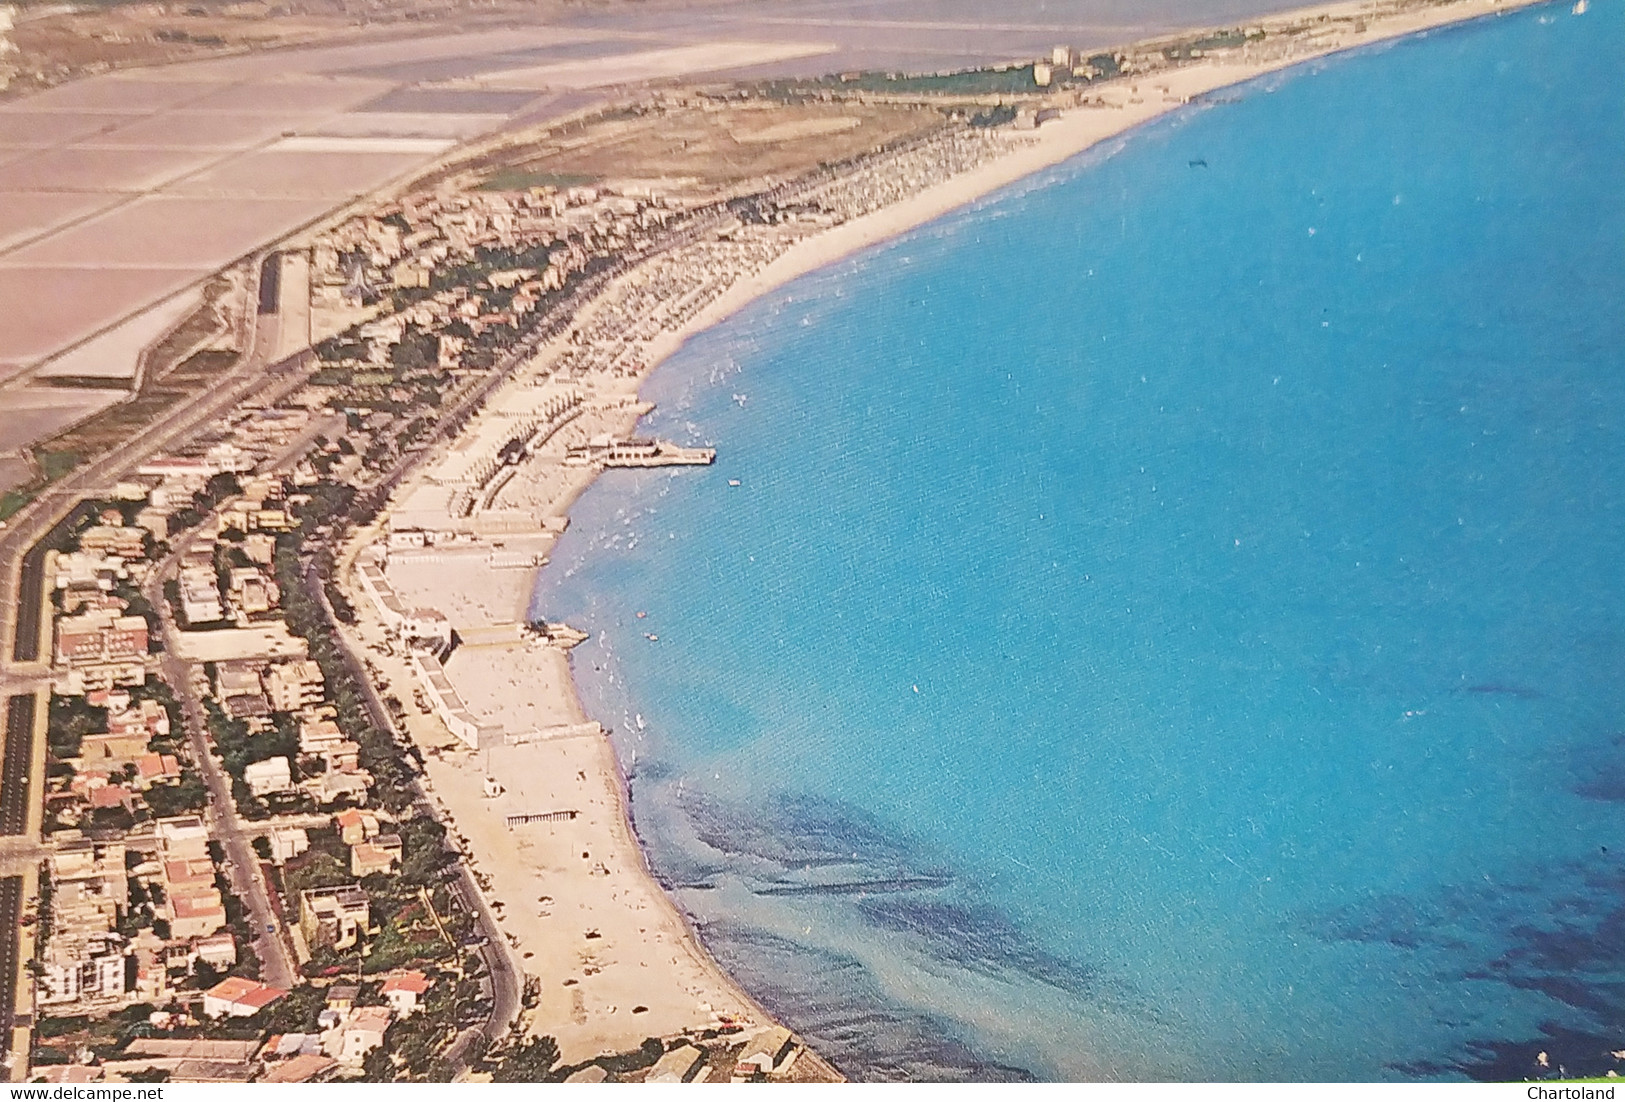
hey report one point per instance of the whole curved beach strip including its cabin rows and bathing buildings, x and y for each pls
(527, 778)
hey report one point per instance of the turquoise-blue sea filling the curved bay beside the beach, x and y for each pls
(1171, 623)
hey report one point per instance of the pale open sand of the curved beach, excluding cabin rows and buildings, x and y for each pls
(612, 958)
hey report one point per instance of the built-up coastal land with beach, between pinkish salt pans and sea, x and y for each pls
(357, 763)
